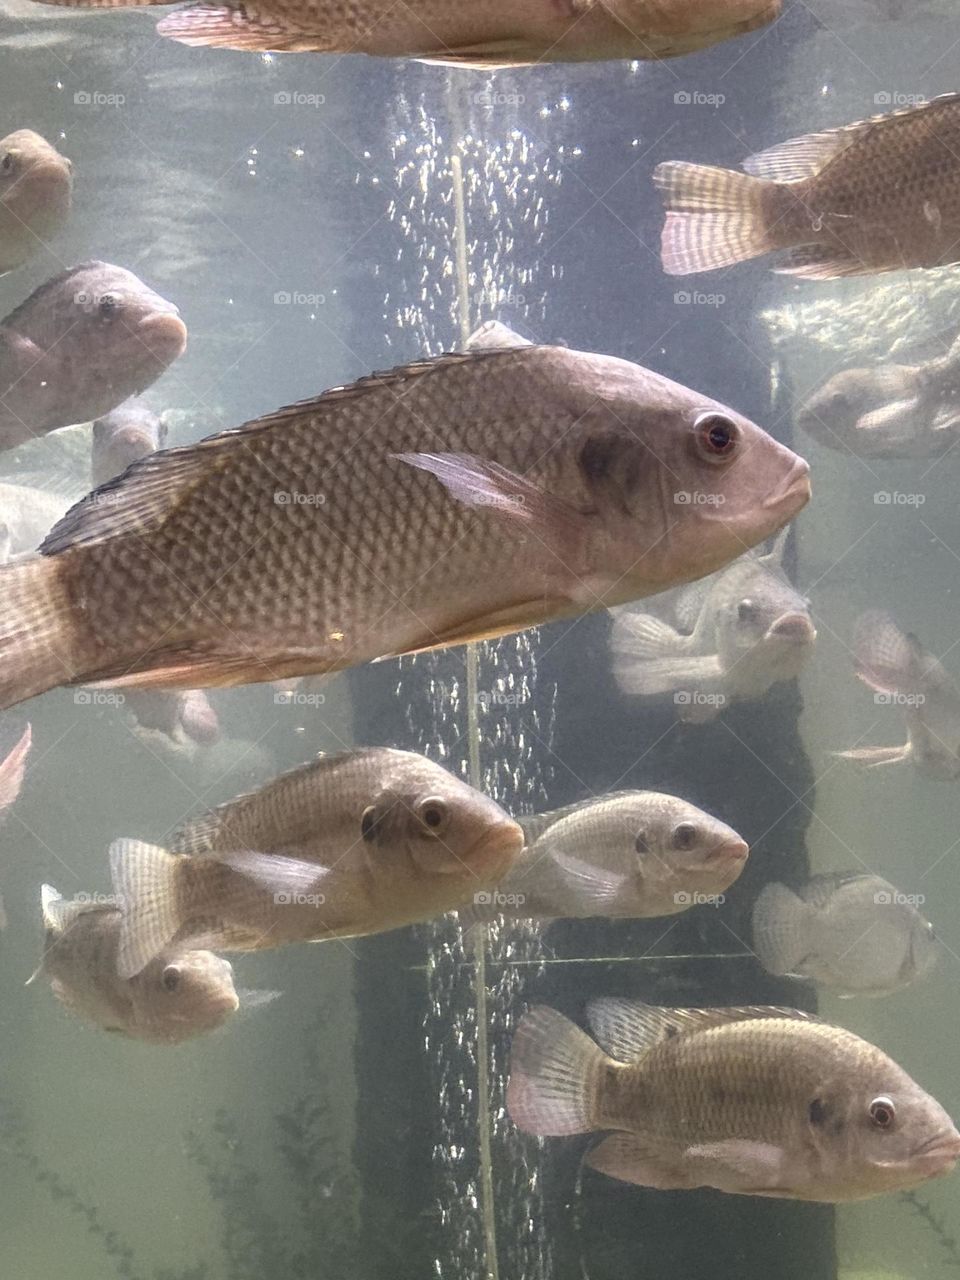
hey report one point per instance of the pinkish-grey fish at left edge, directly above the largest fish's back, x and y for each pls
(80, 346)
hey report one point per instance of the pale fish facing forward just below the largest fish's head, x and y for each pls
(752, 629)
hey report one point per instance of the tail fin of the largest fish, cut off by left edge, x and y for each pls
(34, 630)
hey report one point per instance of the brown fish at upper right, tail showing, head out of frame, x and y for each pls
(883, 195)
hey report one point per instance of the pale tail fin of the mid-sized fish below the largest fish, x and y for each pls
(145, 880)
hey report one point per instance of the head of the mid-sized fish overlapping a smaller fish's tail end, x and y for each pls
(442, 828)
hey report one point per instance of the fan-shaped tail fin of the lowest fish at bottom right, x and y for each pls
(555, 1076)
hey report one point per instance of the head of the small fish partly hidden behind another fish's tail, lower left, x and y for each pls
(181, 995)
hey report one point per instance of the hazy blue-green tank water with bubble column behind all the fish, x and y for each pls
(317, 218)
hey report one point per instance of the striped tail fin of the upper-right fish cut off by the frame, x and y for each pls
(715, 217)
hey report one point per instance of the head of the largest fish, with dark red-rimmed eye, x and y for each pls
(687, 483)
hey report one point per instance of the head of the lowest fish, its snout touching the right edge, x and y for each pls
(877, 1131)
